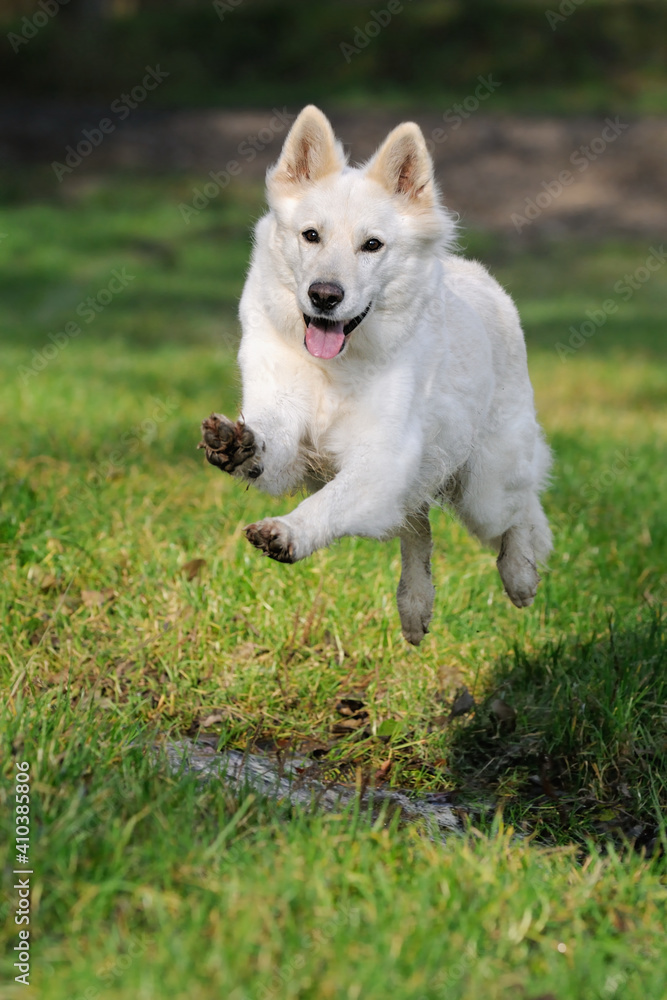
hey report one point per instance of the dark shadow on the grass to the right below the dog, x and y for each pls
(571, 742)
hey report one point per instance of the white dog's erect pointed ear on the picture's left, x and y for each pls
(311, 151)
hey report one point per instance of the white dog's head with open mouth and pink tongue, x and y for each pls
(352, 241)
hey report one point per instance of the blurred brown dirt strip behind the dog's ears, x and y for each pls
(534, 177)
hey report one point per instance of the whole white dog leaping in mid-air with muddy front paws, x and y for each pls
(381, 373)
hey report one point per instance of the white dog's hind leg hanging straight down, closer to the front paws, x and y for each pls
(415, 593)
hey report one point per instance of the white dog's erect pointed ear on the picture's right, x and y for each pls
(403, 165)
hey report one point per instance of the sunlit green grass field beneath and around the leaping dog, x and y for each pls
(145, 884)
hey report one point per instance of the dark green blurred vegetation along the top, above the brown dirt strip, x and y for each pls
(566, 56)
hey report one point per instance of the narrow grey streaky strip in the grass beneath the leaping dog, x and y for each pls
(299, 780)
